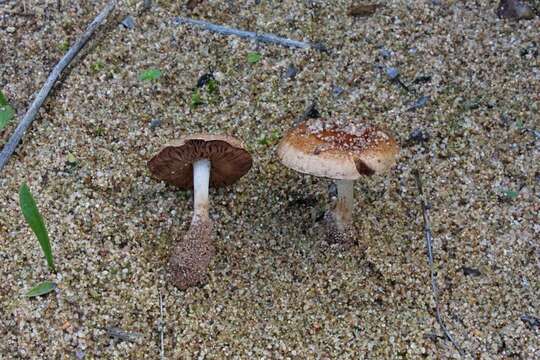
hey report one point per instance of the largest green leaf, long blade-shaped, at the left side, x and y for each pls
(34, 219)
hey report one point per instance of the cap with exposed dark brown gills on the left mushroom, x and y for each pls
(228, 160)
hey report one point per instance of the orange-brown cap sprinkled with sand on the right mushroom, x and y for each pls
(337, 150)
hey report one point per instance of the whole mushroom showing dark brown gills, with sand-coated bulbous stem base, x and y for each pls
(198, 161)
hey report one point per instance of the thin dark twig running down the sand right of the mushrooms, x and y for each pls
(429, 246)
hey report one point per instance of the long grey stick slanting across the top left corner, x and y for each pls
(9, 148)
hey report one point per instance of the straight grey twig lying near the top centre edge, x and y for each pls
(261, 37)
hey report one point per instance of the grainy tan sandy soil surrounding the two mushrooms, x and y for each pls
(275, 289)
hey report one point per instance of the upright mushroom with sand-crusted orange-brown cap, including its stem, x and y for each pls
(343, 151)
